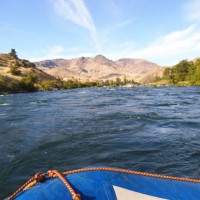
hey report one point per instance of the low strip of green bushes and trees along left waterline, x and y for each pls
(30, 84)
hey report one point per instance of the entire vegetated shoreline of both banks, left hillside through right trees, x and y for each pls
(23, 76)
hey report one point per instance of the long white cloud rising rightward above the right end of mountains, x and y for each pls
(169, 48)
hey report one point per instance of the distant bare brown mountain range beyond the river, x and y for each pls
(101, 68)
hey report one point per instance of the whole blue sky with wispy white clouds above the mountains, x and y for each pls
(161, 31)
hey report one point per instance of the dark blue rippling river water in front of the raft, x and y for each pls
(146, 129)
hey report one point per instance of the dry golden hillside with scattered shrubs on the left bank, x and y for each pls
(18, 75)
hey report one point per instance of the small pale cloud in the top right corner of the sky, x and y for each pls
(192, 10)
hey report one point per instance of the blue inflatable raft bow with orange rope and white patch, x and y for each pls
(109, 184)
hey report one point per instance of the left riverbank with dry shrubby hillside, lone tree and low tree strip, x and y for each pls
(23, 76)
